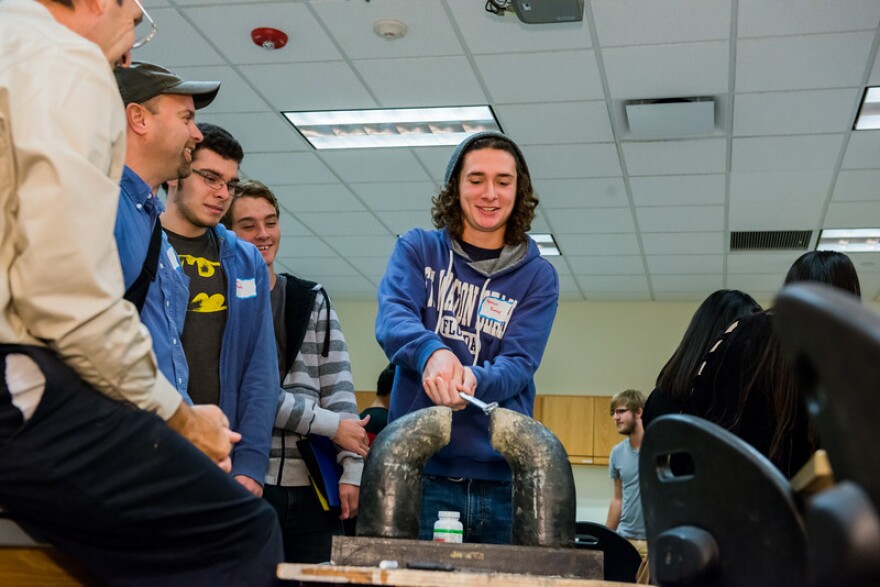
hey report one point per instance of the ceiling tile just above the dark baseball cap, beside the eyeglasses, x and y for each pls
(163, 51)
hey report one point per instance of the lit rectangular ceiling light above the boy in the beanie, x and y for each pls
(401, 127)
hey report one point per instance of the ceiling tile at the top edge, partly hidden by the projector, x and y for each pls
(489, 33)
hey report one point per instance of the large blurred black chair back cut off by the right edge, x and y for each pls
(833, 342)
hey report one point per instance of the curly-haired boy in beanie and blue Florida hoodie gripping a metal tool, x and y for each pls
(469, 307)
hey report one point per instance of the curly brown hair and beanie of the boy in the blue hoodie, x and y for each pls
(446, 211)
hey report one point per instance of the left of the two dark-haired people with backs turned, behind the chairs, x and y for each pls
(718, 311)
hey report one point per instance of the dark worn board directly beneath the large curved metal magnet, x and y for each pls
(501, 558)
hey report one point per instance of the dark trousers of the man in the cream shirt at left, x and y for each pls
(114, 487)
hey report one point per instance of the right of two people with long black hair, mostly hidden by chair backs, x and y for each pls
(749, 387)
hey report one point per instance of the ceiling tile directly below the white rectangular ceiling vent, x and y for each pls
(676, 157)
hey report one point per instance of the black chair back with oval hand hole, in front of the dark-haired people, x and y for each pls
(730, 519)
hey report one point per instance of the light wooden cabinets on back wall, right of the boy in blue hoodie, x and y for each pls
(582, 423)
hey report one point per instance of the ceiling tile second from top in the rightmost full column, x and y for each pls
(802, 63)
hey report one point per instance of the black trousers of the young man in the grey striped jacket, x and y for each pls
(308, 530)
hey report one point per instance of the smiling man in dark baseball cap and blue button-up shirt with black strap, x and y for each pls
(161, 135)
